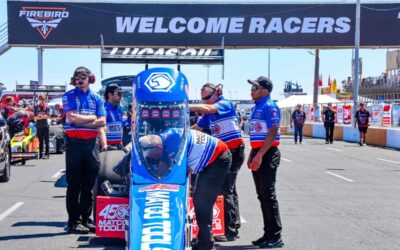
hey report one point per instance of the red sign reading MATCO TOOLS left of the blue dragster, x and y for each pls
(110, 216)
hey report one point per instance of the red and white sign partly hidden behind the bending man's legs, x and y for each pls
(218, 217)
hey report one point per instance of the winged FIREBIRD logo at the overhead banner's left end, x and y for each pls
(44, 19)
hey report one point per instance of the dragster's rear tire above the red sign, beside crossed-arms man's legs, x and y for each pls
(108, 160)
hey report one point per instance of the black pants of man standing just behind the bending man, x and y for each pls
(231, 199)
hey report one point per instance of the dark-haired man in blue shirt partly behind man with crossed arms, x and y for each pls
(111, 135)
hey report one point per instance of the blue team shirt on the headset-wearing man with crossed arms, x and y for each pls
(82, 103)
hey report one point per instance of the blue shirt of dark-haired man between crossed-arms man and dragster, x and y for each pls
(113, 123)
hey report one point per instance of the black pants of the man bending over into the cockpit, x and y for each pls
(208, 185)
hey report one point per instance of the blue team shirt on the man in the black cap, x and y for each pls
(264, 115)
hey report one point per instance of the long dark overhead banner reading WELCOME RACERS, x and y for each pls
(64, 24)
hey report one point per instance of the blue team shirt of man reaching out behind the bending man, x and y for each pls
(223, 124)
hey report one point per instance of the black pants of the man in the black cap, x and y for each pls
(264, 180)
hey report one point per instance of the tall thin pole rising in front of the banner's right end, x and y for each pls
(356, 61)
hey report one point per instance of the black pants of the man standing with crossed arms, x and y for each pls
(82, 166)
